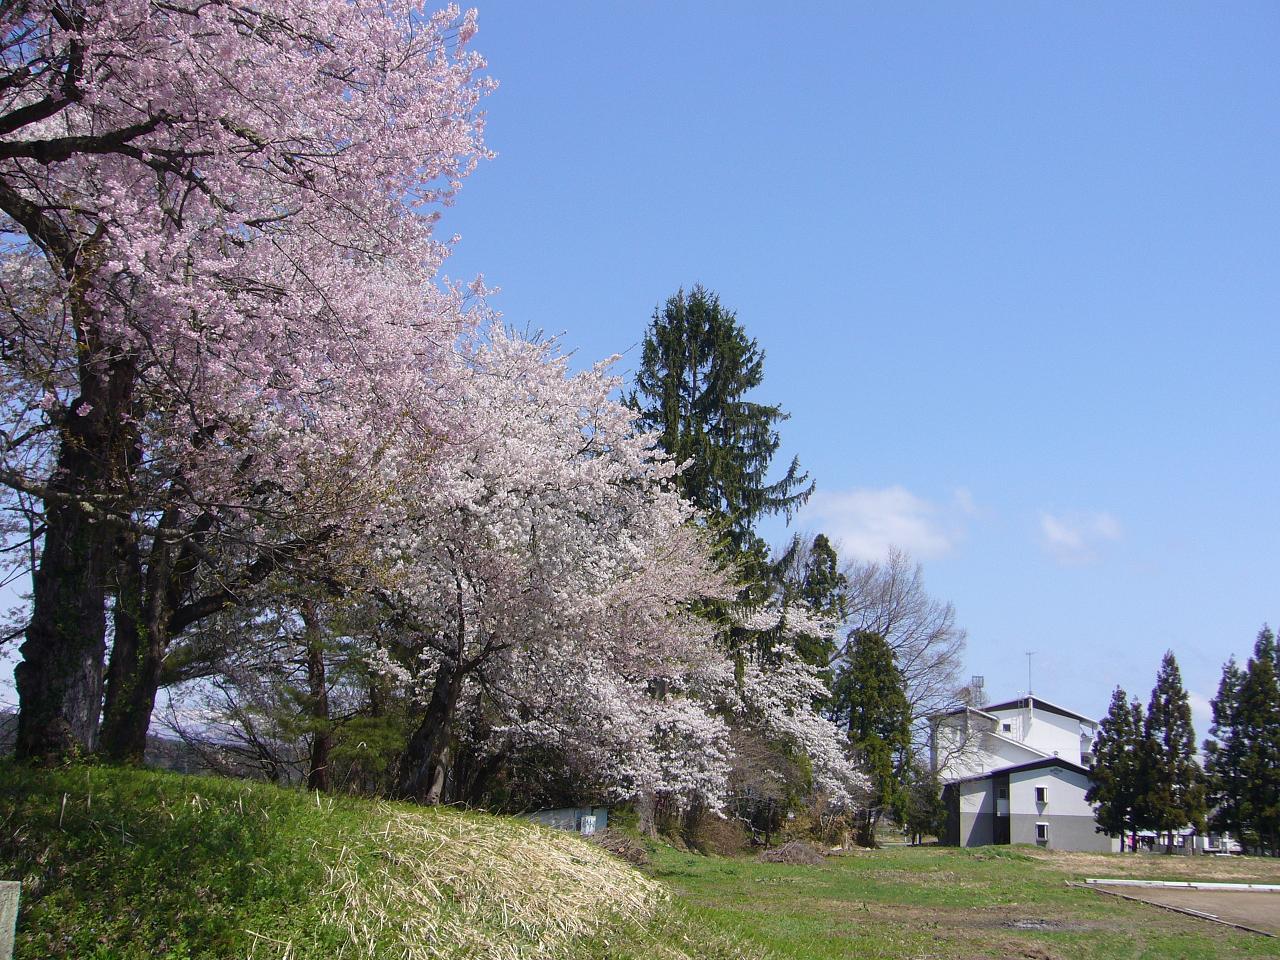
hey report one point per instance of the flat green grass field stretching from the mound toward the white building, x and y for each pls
(948, 904)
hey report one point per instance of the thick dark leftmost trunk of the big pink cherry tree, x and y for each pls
(60, 679)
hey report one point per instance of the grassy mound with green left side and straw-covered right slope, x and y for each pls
(122, 865)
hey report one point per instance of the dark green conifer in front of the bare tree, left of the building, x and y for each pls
(871, 703)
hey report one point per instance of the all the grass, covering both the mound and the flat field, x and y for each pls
(131, 865)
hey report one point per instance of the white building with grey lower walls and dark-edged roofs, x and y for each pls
(1017, 772)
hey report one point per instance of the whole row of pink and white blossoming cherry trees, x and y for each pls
(248, 423)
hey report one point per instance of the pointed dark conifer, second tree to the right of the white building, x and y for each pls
(1174, 794)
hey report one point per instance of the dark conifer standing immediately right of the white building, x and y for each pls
(1117, 769)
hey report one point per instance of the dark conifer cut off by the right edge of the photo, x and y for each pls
(1259, 720)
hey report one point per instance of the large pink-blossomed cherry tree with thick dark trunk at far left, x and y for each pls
(217, 289)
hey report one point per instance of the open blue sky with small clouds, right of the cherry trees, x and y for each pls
(1013, 267)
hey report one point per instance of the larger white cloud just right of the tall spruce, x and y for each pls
(866, 524)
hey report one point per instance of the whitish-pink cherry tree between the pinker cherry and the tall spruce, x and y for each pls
(545, 561)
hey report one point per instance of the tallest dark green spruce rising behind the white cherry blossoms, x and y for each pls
(697, 369)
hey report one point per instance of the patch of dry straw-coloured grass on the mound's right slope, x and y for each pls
(442, 885)
